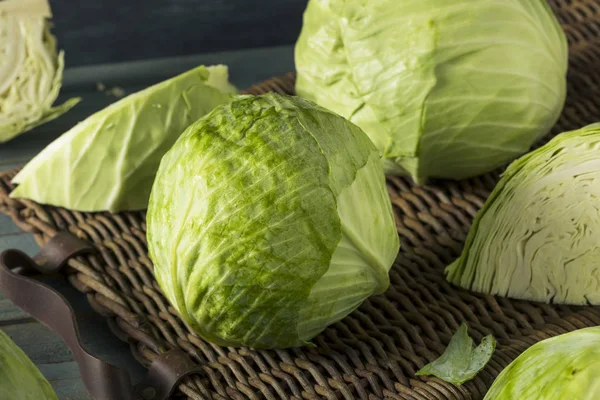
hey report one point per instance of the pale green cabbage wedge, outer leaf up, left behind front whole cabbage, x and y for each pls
(109, 161)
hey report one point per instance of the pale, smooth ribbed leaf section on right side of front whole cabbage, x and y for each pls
(369, 242)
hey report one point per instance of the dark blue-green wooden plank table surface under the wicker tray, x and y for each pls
(44, 347)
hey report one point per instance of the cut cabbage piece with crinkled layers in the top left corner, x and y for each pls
(30, 68)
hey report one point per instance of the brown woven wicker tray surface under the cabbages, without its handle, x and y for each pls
(374, 352)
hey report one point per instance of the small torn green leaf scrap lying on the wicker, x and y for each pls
(461, 362)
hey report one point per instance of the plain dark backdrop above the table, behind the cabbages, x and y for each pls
(107, 31)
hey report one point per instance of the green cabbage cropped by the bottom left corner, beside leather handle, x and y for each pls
(19, 377)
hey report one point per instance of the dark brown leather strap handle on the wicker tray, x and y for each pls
(103, 381)
